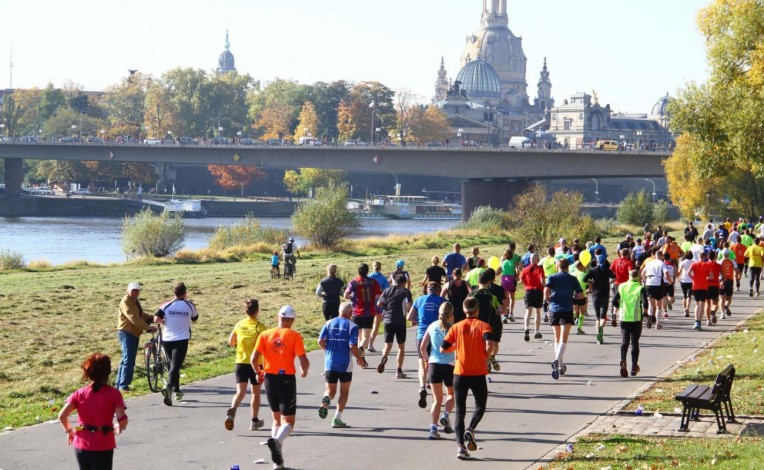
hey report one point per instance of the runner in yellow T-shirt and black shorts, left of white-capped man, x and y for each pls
(243, 338)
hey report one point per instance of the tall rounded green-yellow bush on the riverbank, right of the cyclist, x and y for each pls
(325, 220)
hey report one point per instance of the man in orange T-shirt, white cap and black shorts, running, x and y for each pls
(278, 348)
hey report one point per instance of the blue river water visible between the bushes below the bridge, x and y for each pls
(59, 239)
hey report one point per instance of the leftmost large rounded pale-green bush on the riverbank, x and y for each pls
(152, 235)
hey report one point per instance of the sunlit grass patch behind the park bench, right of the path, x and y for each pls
(739, 348)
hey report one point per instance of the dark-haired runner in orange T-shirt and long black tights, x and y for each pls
(471, 339)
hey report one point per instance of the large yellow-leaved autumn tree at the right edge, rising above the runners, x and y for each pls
(723, 118)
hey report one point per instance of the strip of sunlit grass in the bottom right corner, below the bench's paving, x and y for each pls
(638, 452)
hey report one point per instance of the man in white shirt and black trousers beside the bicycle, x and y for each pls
(176, 316)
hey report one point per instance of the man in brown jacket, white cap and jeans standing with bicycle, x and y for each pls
(131, 322)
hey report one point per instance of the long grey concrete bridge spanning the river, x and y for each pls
(491, 176)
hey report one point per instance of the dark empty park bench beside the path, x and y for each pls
(702, 397)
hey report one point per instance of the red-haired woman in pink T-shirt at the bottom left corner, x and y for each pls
(96, 405)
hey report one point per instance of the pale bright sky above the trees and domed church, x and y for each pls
(630, 52)
